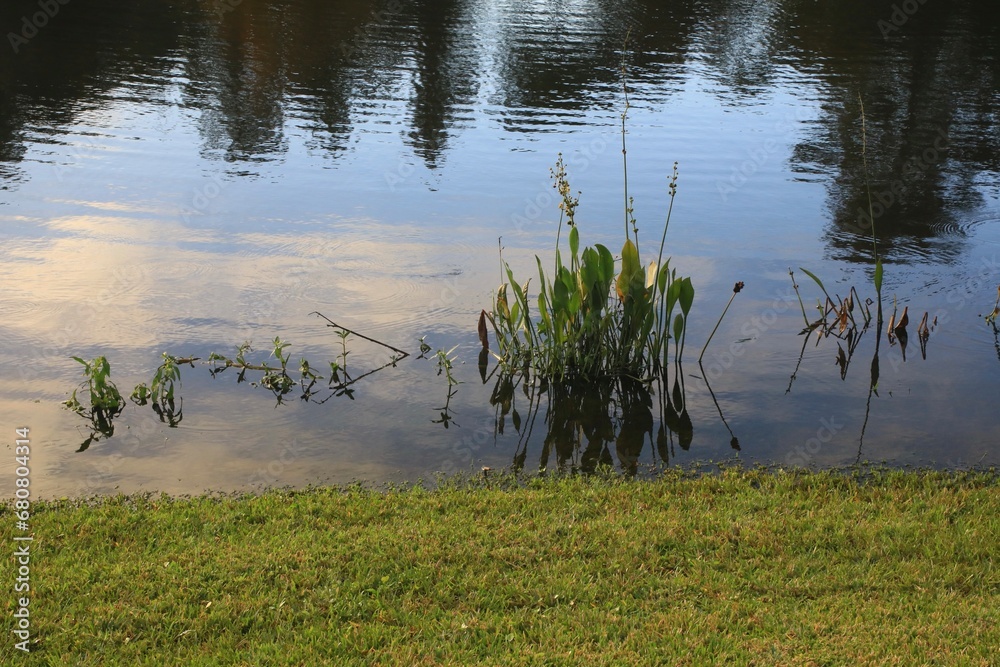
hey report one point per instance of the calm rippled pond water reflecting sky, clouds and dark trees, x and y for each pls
(186, 175)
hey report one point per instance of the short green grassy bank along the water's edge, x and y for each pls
(746, 567)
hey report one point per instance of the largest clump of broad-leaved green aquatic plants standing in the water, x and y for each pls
(593, 321)
